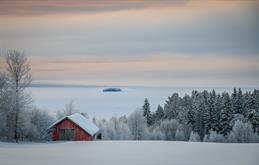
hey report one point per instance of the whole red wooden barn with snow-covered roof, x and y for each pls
(73, 127)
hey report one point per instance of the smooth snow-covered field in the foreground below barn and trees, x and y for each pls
(129, 152)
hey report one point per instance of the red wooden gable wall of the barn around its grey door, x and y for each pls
(79, 133)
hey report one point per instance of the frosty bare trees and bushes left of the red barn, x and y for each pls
(20, 120)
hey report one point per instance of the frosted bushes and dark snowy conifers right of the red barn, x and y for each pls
(203, 116)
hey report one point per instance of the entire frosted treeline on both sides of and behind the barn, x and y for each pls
(202, 116)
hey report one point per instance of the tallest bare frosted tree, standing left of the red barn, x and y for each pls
(19, 77)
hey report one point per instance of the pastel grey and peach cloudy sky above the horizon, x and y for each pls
(135, 42)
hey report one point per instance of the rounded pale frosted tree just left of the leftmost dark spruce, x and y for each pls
(137, 125)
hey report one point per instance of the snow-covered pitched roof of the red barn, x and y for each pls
(84, 123)
